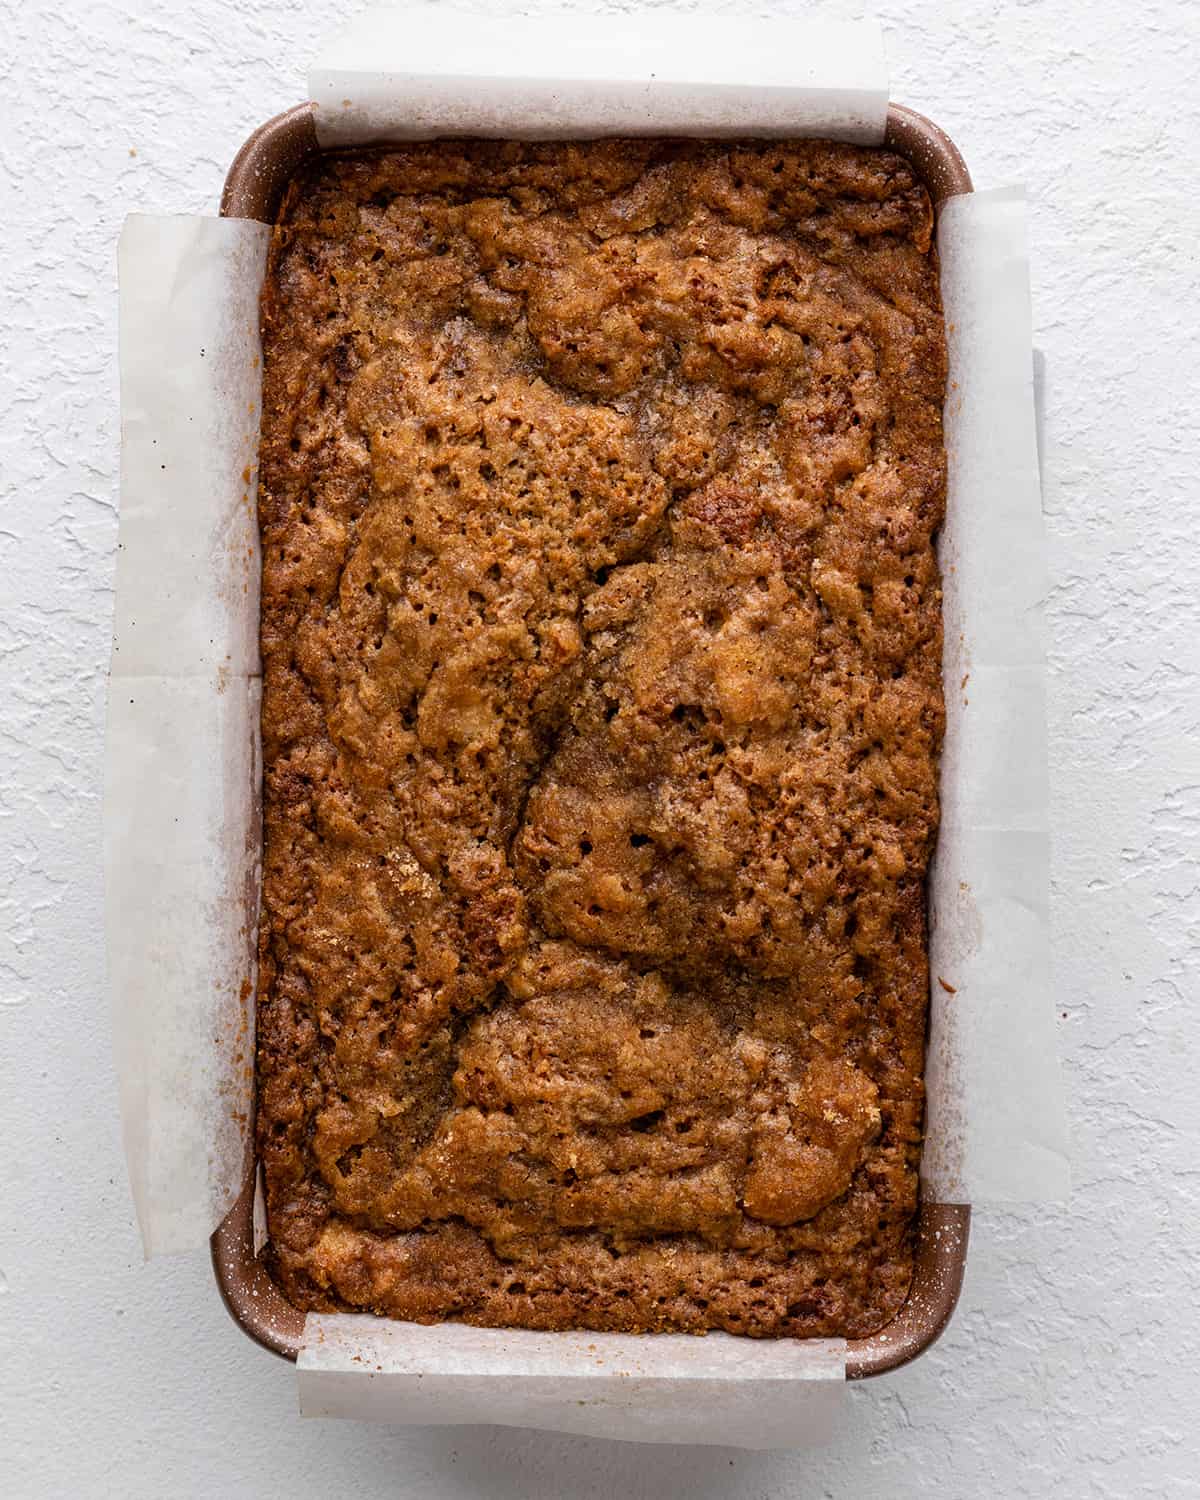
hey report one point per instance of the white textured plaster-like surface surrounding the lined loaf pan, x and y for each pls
(1073, 1366)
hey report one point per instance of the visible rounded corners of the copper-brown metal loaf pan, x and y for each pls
(254, 190)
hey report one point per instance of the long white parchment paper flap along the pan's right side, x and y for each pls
(997, 1127)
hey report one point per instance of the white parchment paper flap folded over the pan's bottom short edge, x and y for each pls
(668, 1388)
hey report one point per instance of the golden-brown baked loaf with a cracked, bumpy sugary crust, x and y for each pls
(602, 707)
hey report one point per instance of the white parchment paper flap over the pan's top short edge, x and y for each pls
(422, 71)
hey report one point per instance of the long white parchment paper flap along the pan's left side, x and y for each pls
(182, 755)
